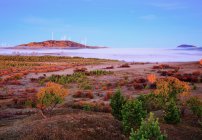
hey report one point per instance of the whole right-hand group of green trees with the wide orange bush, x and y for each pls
(170, 95)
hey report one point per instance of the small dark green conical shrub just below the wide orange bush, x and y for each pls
(172, 113)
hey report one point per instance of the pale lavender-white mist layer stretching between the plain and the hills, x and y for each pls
(123, 54)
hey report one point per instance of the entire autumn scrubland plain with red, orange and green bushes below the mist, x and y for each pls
(47, 97)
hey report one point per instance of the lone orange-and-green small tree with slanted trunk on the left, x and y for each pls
(49, 96)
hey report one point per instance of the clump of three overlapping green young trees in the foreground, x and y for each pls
(132, 114)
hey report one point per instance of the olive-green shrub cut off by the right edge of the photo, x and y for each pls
(196, 106)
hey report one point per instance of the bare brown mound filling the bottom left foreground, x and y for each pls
(74, 125)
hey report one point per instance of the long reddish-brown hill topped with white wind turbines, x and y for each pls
(56, 44)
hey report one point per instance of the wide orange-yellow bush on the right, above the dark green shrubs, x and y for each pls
(171, 88)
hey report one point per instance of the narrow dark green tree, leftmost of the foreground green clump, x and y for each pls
(117, 101)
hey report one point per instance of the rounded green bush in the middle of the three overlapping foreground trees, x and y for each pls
(132, 114)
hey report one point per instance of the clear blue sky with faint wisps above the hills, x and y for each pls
(111, 23)
